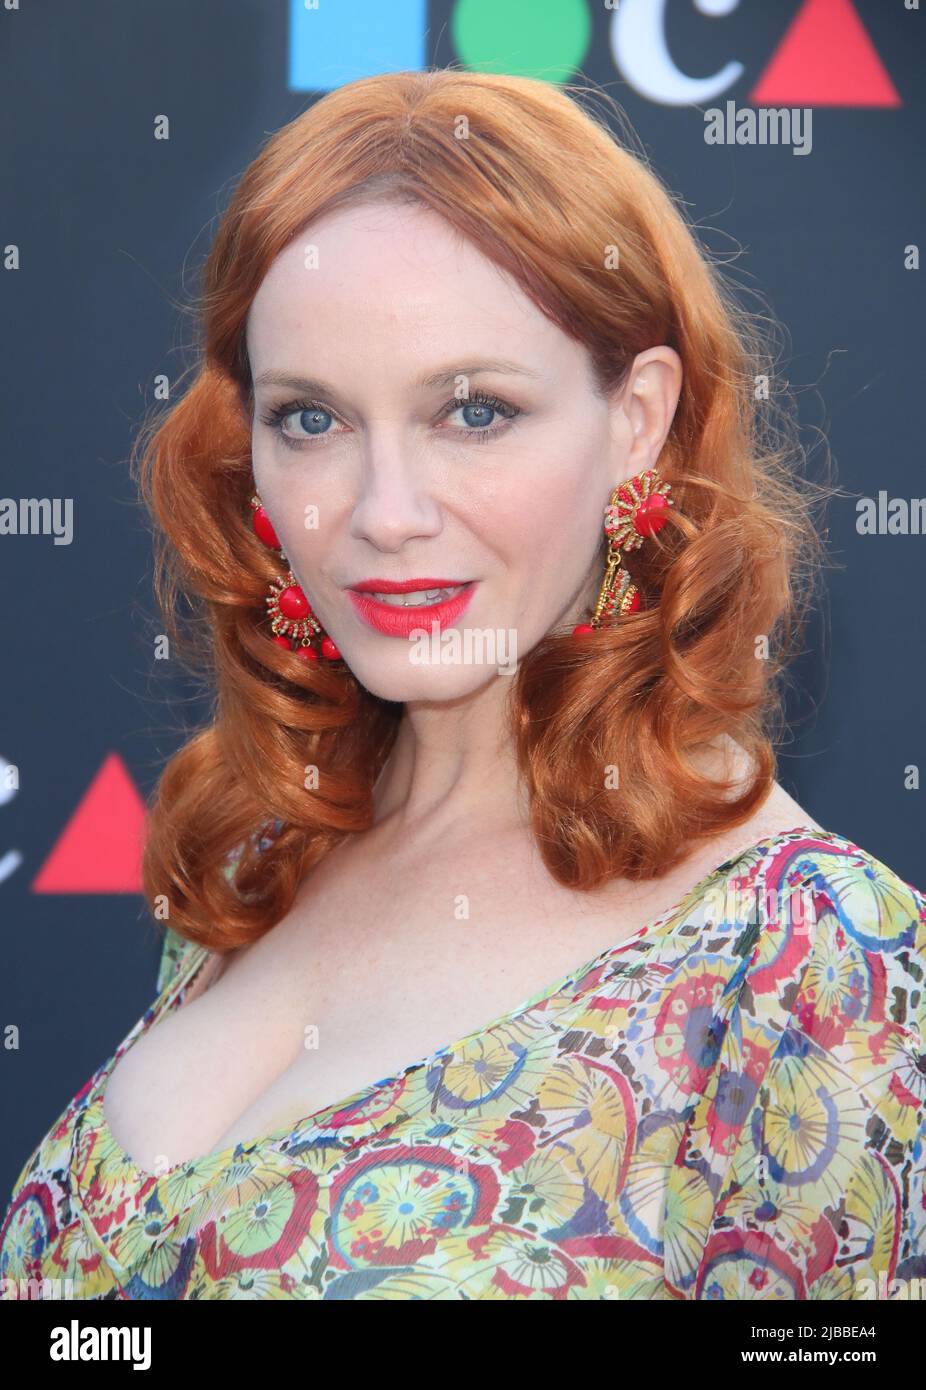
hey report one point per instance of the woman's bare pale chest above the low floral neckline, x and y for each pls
(376, 967)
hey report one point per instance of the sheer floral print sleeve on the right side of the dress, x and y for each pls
(802, 1170)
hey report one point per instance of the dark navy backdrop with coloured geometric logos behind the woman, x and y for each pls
(111, 227)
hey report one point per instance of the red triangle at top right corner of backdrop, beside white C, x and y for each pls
(825, 59)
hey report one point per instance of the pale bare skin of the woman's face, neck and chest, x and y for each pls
(404, 490)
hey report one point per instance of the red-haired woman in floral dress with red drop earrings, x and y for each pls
(493, 725)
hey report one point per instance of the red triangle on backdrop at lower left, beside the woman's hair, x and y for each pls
(101, 847)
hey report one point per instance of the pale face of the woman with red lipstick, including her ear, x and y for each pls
(418, 418)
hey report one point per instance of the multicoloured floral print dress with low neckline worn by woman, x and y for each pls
(729, 1104)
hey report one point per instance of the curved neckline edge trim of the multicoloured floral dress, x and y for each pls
(220, 1160)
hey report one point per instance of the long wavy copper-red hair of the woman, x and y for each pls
(540, 183)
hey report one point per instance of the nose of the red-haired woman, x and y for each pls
(396, 502)
